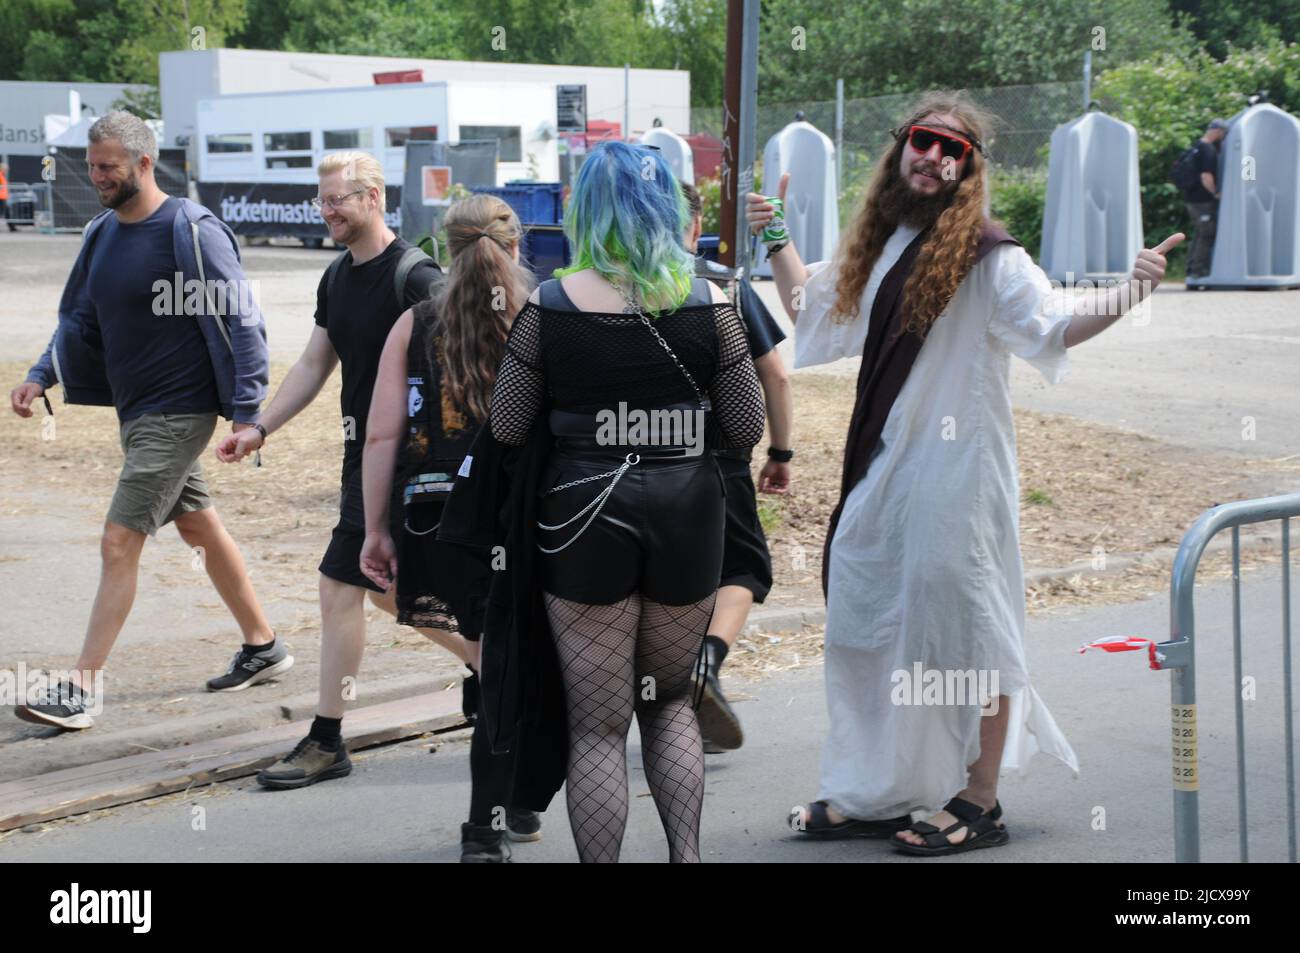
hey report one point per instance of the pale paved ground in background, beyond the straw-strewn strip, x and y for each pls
(1198, 372)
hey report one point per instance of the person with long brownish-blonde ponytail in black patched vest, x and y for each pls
(432, 395)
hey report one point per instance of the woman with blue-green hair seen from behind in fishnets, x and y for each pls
(644, 372)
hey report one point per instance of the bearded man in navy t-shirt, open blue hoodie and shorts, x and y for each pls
(170, 372)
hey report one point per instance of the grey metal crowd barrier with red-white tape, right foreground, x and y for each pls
(1178, 656)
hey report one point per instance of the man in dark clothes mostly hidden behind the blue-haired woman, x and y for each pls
(747, 575)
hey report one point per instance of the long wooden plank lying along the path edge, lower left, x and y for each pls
(122, 781)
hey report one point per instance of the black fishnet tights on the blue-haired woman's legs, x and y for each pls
(635, 656)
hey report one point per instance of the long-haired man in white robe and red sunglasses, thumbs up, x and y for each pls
(925, 584)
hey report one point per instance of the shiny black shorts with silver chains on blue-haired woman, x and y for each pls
(660, 534)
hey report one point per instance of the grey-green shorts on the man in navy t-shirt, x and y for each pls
(162, 478)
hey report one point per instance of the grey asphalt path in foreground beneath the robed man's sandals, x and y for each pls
(405, 804)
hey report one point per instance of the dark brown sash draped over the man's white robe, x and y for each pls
(887, 359)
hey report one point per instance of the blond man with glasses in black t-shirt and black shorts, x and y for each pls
(359, 300)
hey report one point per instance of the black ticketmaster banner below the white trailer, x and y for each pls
(278, 210)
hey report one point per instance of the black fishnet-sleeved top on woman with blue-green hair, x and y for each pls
(587, 362)
